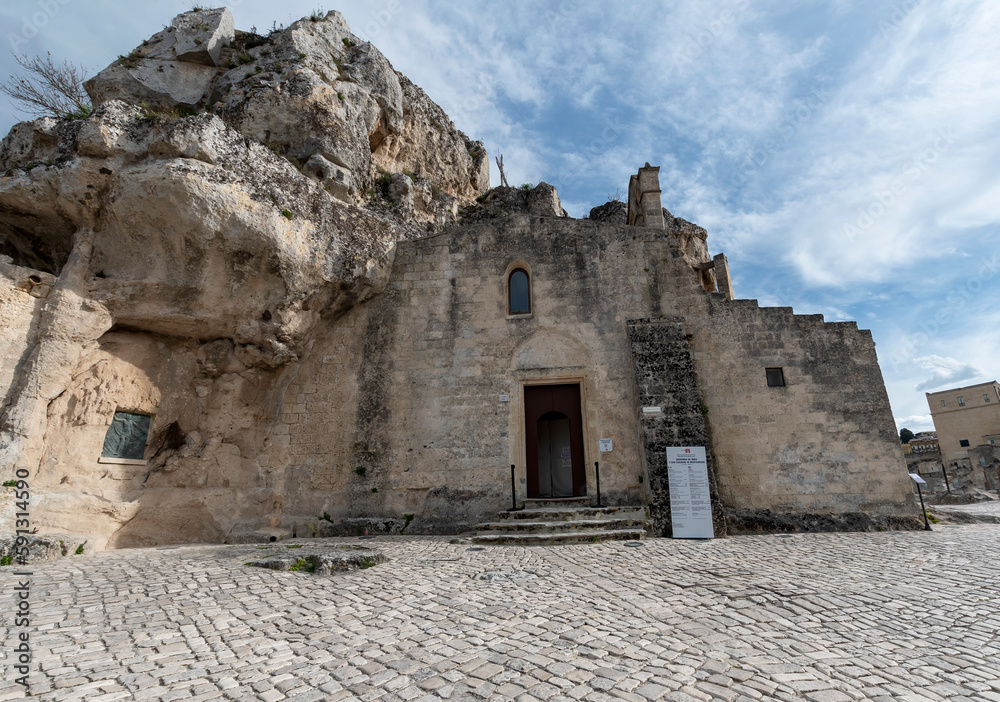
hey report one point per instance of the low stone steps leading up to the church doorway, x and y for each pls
(563, 521)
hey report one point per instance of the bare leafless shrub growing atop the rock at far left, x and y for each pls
(46, 88)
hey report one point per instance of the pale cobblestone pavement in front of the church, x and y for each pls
(821, 617)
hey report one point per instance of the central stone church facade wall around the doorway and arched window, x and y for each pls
(408, 386)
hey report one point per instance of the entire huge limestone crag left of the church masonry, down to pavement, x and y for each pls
(178, 248)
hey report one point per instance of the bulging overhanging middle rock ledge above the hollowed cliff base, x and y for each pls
(198, 232)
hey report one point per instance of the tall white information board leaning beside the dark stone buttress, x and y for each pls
(690, 498)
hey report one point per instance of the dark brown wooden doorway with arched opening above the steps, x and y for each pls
(553, 428)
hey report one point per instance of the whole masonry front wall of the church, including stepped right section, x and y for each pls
(407, 386)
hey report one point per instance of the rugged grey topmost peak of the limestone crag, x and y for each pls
(313, 92)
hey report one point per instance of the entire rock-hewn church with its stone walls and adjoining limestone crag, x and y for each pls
(218, 331)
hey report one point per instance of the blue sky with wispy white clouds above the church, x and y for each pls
(843, 154)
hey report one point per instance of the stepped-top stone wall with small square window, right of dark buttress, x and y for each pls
(825, 441)
